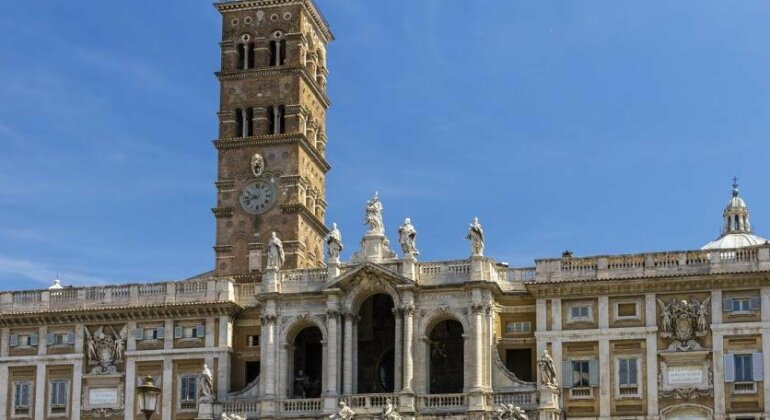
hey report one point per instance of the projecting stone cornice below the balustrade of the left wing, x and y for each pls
(120, 313)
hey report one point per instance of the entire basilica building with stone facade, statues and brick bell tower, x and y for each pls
(283, 328)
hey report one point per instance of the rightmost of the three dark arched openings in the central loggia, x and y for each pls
(446, 355)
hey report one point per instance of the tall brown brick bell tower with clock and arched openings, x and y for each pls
(272, 134)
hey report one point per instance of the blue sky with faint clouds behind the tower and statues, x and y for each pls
(604, 126)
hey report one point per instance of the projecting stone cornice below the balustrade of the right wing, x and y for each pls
(670, 284)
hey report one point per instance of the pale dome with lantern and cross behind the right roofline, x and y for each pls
(736, 228)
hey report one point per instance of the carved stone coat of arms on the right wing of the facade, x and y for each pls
(683, 321)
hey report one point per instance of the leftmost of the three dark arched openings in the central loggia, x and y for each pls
(308, 364)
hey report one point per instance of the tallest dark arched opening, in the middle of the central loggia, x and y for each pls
(376, 336)
